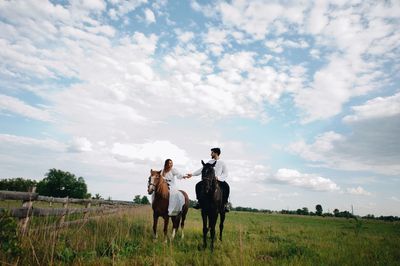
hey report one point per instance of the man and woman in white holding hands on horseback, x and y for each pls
(221, 173)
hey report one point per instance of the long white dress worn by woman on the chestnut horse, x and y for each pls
(176, 198)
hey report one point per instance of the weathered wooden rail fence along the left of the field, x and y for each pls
(92, 206)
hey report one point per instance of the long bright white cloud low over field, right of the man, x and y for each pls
(308, 181)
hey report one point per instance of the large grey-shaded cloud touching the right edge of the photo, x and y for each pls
(372, 145)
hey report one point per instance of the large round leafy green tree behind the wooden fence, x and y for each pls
(62, 184)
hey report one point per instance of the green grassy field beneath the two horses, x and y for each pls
(249, 239)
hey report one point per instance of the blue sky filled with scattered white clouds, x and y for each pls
(302, 97)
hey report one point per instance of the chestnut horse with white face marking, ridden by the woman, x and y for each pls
(159, 186)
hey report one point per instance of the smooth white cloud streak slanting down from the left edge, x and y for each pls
(14, 105)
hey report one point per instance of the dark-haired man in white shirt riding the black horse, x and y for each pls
(221, 173)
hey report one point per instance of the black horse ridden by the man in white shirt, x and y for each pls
(211, 204)
